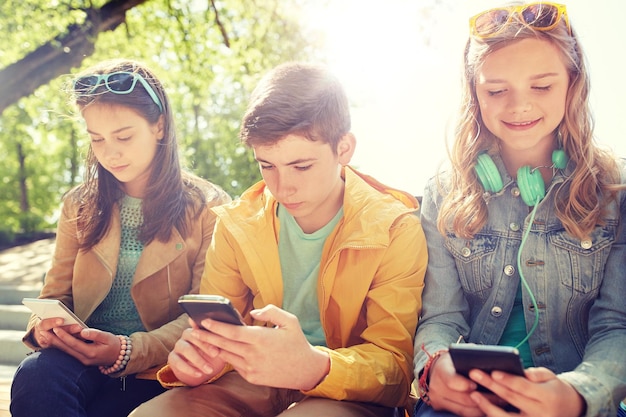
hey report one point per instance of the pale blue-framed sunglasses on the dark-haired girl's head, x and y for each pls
(121, 82)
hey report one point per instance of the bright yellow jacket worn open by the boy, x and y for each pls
(369, 288)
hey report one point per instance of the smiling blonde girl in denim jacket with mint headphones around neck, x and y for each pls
(525, 232)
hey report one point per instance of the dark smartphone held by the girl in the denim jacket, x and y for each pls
(466, 356)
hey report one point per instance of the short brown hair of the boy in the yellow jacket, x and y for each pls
(296, 98)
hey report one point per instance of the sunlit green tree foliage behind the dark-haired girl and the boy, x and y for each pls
(208, 53)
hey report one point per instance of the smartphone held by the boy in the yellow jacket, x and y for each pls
(215, 307)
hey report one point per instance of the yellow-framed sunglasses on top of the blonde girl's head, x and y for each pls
(541, 16)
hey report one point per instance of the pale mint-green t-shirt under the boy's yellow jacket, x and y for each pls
(300, 255)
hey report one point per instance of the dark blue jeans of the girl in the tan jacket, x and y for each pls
(52, 383)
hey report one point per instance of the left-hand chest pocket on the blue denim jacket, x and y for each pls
(474, 261)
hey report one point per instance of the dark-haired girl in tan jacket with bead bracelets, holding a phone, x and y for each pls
(131, 239)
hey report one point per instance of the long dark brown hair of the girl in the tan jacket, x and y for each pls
(171, 195)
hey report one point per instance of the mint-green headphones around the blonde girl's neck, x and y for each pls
(529, 180)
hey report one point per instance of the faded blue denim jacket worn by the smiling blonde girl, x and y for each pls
(579, 287)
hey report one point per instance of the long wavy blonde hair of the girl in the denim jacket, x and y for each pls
(595, 175)
